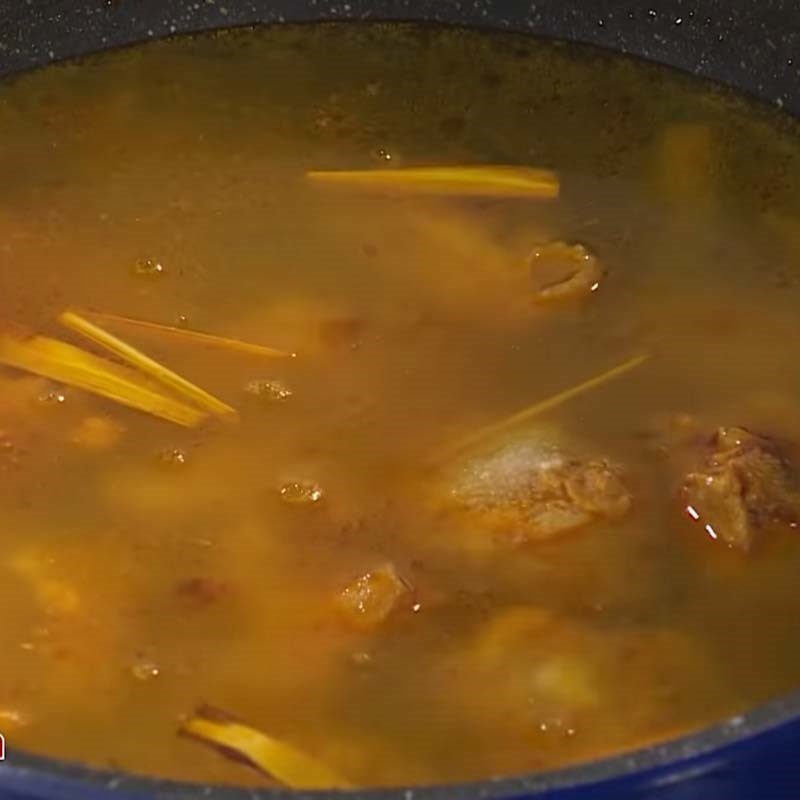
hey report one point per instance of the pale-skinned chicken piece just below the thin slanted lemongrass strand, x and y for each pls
(534, 491)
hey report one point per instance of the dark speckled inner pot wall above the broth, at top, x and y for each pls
(748, 45)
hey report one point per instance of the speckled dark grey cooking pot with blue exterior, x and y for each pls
(753, 46)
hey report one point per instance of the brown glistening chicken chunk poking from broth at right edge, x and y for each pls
(740, 486)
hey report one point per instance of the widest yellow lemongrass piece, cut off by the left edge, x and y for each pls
(72, 366)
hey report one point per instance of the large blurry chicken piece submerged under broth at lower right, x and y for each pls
(529, 672)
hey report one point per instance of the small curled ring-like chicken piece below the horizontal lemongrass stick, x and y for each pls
(561, 271)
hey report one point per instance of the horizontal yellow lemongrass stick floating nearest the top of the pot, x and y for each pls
(467, 181)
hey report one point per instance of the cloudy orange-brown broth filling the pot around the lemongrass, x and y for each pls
(314, 569)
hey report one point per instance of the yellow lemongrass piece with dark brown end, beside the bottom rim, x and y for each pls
(273, 757)
